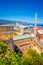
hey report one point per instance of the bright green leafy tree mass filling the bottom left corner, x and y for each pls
(8, 57)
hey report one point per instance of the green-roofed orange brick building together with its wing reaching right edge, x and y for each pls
(27, 41)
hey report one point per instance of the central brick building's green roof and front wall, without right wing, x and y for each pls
(23, 42)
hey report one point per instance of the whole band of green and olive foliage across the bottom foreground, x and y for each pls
(8, 57)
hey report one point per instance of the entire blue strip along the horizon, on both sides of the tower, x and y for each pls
(2, 21)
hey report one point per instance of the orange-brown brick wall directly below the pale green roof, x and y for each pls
(24, 44)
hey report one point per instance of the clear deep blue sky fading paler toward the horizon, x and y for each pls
(21, 10)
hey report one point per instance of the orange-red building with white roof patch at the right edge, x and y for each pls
(39, 39)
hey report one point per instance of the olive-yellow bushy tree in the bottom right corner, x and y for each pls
(36, 58)
